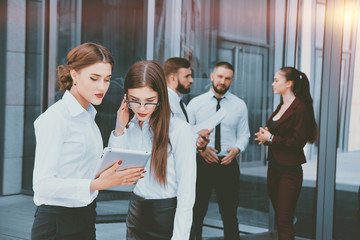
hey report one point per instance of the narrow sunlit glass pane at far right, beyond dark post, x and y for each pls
(347, 194)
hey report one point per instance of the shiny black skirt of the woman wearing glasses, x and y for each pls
(150, 219)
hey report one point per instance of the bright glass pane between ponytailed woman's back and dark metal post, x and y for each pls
(311, 58)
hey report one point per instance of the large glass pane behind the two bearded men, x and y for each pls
(214, 31)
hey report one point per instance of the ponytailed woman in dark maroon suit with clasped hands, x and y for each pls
(287, 131)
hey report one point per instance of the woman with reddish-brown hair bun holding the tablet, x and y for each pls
(68, 148)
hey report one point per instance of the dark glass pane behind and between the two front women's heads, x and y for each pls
(121, 27)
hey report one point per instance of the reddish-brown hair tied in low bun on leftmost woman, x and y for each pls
(80, 57)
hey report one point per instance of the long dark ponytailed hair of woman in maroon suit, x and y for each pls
(301, 89)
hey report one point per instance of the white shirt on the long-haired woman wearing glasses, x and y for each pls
(180, 172)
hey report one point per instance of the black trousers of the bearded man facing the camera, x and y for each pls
(225, 180)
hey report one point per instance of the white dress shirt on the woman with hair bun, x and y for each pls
(68, 147)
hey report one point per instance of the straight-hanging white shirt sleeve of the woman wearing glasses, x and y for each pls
(185, 159)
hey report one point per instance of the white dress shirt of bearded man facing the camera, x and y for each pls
(234, 129)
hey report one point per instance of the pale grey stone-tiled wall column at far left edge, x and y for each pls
(14, 97)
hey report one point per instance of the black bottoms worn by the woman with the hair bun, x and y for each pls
(63, 223)
